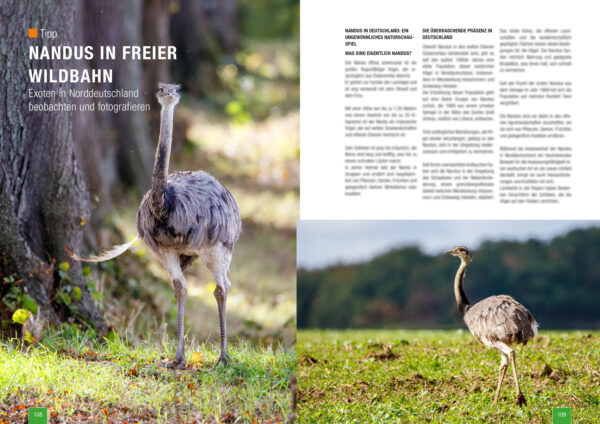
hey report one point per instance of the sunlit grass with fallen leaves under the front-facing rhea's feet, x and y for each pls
(80, 380)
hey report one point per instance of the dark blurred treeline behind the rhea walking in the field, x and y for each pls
(557, 280)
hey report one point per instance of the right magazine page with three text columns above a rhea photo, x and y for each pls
(449, 239)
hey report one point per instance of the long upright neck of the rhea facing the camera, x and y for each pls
(163, 153)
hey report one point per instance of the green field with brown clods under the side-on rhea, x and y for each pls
(443, 377)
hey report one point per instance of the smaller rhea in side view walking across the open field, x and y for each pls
(497, 322)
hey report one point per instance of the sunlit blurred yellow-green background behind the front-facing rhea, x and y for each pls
(242, 126)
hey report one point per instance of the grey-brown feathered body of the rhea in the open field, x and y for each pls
(501, 318)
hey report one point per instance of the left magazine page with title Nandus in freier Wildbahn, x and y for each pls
(148, 202)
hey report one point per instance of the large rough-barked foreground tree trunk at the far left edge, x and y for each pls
(43, 199)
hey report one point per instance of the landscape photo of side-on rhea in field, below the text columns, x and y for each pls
(460, 320)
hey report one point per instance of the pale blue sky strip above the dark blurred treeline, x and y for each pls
(323, 243)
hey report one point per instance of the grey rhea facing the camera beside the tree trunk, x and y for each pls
(185, 215)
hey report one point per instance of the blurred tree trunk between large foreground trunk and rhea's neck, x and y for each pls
(114, 146)
